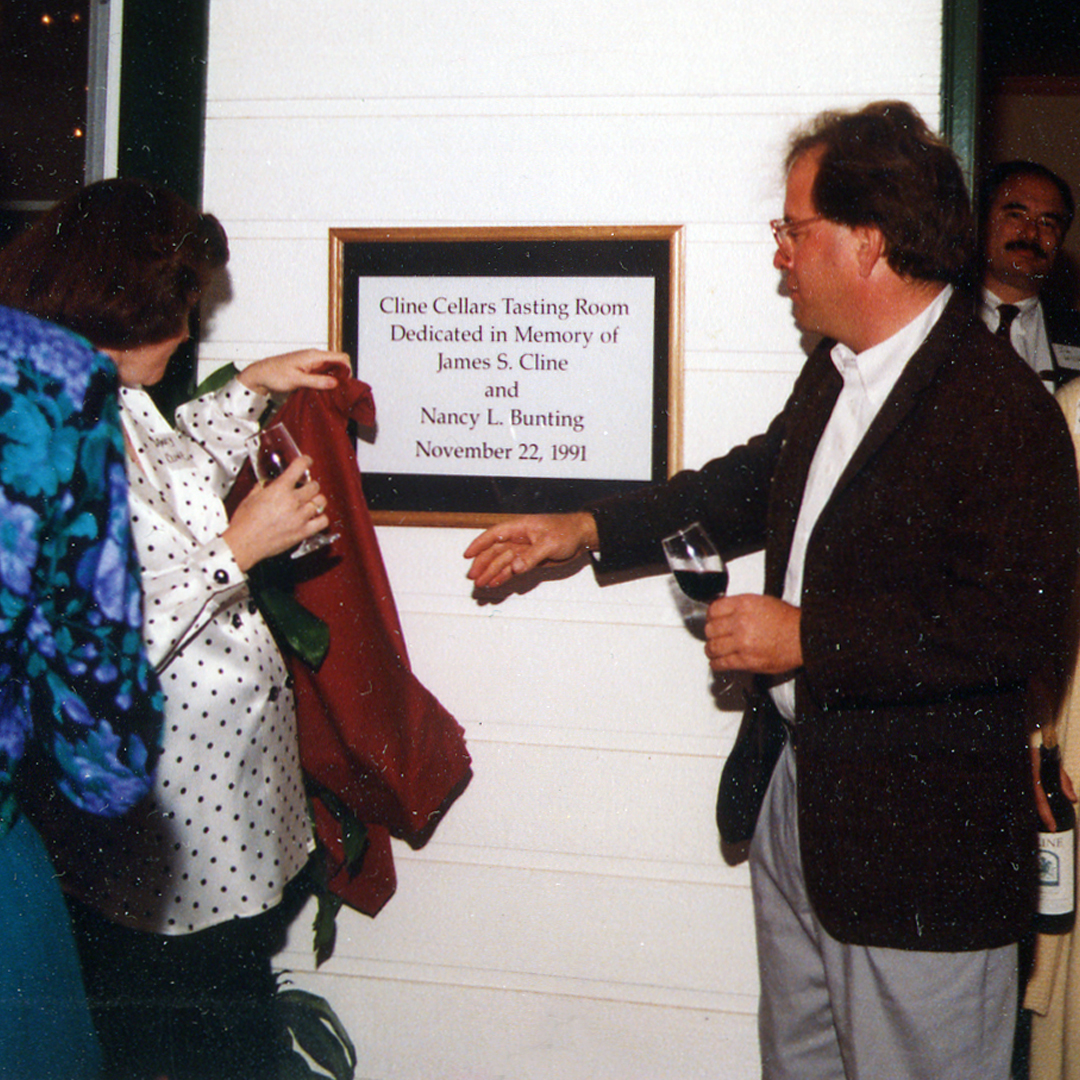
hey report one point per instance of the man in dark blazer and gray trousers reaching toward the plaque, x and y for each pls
(916, 582)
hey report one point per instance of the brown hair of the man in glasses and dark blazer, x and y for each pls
(883, 167)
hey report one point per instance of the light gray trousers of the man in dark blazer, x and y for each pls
(831, 1011)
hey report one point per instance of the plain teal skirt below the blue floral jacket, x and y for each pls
(46, 1032)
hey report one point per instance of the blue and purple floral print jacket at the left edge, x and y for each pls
(75, 682)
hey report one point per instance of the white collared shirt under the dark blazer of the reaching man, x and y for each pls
(869, 380)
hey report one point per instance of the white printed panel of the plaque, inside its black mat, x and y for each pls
(509, 376)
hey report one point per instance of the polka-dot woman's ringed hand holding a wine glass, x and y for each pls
(276, 517)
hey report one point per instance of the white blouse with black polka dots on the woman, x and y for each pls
(227, 826)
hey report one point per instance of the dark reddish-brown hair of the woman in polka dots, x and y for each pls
(121, 263)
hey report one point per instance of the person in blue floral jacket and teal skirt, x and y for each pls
(77, 695)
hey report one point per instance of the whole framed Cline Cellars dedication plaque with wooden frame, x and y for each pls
(516, 371)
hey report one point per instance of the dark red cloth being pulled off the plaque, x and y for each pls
(370, 732)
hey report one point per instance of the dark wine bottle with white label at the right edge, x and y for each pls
(1057, 912)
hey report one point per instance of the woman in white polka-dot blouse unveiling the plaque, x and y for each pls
(179, 908)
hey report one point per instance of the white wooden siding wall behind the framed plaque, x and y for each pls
(573, 916)
